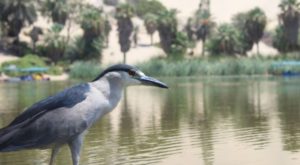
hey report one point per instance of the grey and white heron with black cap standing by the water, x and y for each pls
(64, 118)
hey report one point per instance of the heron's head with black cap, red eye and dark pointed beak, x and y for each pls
(130, 75)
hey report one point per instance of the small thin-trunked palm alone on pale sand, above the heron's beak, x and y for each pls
(150, 22)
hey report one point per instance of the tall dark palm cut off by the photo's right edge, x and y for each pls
(289, 19)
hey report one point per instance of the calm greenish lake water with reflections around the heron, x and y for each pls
(209, 121)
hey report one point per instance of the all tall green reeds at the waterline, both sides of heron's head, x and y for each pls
(211, 66)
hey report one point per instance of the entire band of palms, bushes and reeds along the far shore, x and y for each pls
(229, 40)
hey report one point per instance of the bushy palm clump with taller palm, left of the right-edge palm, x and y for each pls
(239, 37)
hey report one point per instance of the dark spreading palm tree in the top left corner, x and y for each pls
(16, 14)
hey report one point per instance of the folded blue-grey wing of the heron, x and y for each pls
(65, 99)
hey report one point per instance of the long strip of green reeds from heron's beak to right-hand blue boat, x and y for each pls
(207, 66)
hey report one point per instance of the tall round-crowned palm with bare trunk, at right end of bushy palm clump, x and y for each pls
(255, 24)
